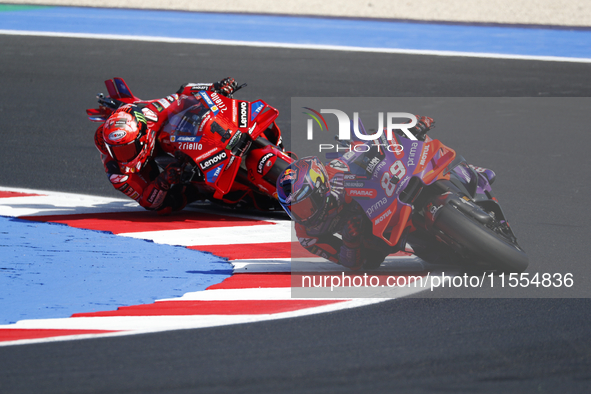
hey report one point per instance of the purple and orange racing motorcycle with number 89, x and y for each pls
(420, 193)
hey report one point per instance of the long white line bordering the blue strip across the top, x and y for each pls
(297, 46)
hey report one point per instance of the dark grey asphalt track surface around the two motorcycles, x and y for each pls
(407, 345)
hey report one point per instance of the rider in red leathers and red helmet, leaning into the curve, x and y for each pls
(128, 142)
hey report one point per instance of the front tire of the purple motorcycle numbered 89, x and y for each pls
(476, 240)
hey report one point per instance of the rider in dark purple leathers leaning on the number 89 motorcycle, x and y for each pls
(314, 197)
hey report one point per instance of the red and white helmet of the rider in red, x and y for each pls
(128, 139)
